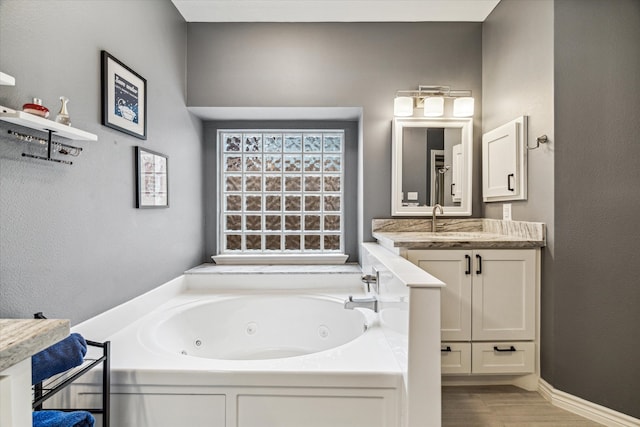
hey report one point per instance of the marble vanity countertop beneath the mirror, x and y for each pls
(477, 233)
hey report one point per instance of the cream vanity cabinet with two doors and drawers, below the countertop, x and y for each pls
(488, 308)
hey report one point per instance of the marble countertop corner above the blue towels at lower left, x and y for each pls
(22, 338)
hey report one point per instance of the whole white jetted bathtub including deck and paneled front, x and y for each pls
(259, 347)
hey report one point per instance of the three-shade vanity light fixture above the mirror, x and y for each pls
(432, 99)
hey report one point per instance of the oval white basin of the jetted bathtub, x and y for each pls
(254, 326)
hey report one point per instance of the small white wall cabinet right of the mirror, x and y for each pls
(504, 162)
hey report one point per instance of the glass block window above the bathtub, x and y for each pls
(282, 192)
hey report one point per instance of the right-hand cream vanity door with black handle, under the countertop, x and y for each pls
(503, 295)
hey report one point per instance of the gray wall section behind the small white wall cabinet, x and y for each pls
(517, 79)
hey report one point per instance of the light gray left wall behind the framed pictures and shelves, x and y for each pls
(73, 244)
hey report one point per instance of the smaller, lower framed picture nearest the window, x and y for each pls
(152, 176)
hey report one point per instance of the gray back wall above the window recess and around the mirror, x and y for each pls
(336, 65)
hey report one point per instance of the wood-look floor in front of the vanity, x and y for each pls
(503, 406)
